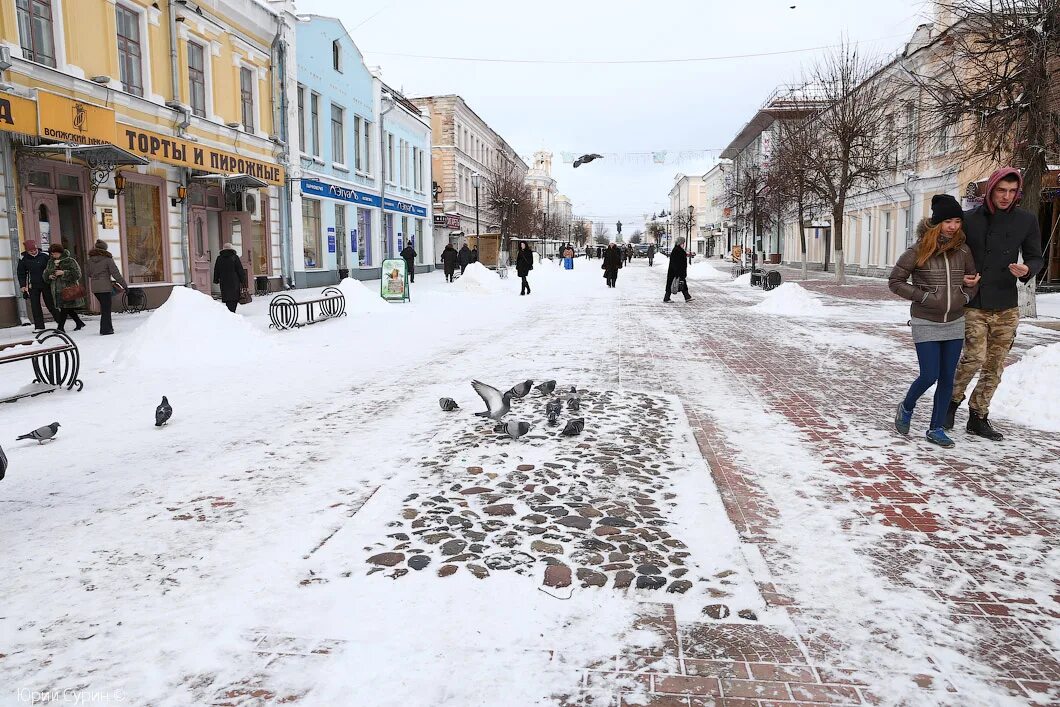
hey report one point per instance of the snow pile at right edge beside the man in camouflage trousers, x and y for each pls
(1024, 394)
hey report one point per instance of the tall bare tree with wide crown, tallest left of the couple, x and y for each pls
(854, 134)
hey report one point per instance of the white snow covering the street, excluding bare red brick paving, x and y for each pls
(286, 537)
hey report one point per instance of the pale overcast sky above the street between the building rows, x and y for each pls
(620, 109)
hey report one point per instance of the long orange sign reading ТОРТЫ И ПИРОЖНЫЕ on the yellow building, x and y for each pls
(182, 153)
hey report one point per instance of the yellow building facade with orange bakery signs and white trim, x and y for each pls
(153, 127)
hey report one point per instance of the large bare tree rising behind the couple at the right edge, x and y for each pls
(991, 87)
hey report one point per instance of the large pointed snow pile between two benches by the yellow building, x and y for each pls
(191, 330)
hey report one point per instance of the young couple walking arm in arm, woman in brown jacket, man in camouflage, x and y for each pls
(965, 302)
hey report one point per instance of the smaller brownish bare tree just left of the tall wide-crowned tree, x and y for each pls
(789, 179)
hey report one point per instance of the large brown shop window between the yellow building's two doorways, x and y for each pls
(145, 245)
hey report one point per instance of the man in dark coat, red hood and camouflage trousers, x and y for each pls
(998, 233)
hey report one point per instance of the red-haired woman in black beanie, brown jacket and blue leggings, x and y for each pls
(945, 279)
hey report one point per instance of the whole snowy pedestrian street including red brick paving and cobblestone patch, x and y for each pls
(738, 523)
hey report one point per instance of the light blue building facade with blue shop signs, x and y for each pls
(345, 220)
